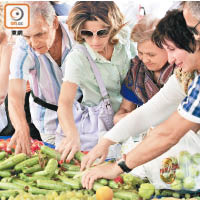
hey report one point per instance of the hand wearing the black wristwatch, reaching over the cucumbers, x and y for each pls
(107, 171)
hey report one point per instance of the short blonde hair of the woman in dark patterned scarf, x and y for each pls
(144, 29)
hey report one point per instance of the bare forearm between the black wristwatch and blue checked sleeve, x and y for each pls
(161, 138)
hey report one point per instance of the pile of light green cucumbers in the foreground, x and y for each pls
(42, 177)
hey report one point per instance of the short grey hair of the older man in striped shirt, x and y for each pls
(43, 8)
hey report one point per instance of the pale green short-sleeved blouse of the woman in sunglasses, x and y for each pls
(78, 70)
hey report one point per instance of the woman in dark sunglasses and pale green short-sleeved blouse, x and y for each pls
(99, 28)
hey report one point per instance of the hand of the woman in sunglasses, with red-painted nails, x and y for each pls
(68, 147)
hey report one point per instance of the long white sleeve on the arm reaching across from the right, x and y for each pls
(156, 110)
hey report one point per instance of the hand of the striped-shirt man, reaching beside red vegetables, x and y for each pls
(21, 140)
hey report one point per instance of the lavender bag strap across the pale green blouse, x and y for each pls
(97, 74)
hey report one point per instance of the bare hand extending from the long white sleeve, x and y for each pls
(99, 151)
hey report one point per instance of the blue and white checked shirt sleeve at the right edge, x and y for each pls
(190, 106)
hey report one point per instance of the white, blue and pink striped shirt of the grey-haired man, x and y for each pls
(45, 77)
